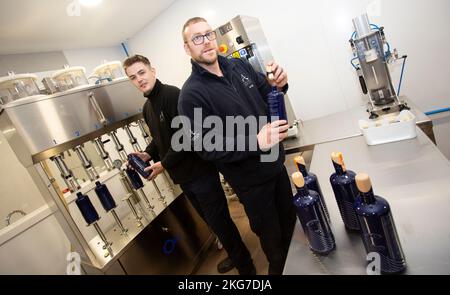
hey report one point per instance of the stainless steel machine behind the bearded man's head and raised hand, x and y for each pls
(243, 37)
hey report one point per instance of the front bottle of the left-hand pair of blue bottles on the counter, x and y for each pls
(312, 218)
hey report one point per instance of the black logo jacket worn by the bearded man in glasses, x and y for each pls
(240, 92)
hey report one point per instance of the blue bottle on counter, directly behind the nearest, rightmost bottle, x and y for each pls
(345, 192)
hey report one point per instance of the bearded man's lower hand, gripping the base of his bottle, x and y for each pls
(272, 134)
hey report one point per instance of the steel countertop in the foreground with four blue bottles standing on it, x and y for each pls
(414, 176)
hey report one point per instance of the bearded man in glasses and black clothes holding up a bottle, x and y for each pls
(224, 87)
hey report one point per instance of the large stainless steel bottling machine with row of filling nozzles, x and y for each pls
(78, 138)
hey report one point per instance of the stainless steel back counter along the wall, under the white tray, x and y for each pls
(336, 127)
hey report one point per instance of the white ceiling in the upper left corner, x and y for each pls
(28, 26)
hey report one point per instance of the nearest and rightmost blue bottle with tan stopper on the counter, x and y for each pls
(378, 230)
